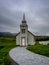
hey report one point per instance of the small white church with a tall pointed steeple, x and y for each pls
(24, 37)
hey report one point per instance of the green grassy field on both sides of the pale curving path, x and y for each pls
(7, 43)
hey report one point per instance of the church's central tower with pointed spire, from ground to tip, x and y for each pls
(23, 31)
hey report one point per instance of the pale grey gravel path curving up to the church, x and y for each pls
(25, 57)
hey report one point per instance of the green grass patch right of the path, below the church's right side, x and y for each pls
(39, 49)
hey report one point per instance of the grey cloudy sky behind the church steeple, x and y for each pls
(36, 14)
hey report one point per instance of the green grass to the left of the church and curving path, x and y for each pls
(6, 44)
